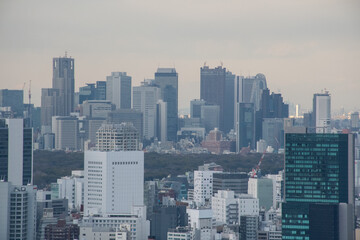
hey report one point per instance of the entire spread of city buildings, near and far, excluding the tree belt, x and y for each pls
(315, 196)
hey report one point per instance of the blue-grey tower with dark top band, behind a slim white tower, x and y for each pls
(167, 80)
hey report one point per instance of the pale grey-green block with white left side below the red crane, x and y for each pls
(263, 189)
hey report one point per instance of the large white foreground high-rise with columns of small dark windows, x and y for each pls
(114, 181)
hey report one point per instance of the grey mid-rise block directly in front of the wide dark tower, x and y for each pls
(210, 117)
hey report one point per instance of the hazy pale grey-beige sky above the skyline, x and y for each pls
(302, 46)
